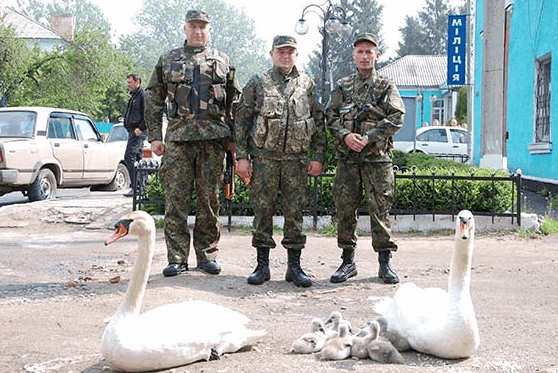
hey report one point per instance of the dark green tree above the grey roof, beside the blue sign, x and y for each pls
(426, 34)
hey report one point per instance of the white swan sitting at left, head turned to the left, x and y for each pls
(171, 335)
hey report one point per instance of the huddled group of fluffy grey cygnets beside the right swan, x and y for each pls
(334, 339)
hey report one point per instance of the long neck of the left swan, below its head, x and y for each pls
(140, 274)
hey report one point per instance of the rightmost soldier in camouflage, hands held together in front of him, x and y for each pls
(365, 111)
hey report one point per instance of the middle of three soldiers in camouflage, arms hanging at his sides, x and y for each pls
(278, 121)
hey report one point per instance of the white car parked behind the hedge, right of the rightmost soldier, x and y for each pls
(439, 141)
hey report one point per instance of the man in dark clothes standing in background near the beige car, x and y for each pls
(134, 122)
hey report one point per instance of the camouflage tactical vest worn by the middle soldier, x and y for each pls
(284, 123)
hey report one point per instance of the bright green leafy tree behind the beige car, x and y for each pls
(88, 75)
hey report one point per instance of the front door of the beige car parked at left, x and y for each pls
(96, 160)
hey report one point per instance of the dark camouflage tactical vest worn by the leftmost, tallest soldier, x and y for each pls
(196, 84)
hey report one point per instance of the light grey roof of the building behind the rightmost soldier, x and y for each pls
(417, 71)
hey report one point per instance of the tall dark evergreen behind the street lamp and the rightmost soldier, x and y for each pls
(363, 16)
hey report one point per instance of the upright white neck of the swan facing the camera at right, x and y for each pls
(460, 269)
